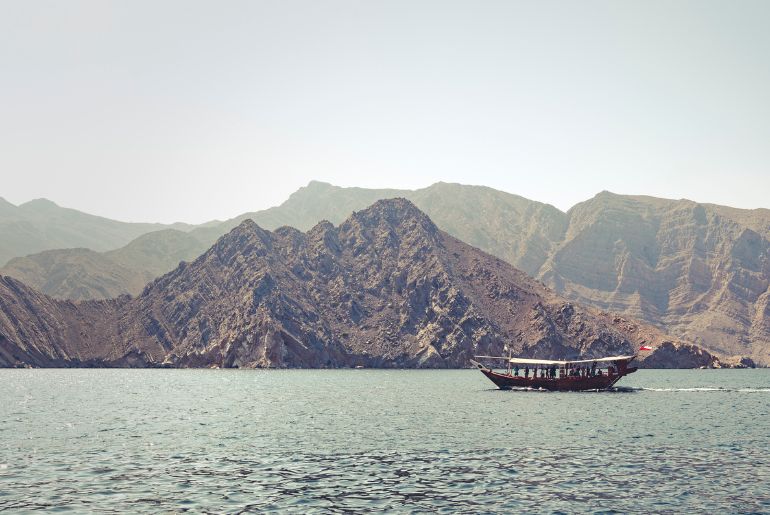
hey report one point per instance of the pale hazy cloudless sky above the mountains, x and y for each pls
(183, 110)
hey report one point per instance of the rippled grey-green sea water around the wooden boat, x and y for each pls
(350, 440)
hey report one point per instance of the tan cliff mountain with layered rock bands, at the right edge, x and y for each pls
(700, 271)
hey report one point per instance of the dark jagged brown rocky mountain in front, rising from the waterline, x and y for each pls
(385, 288)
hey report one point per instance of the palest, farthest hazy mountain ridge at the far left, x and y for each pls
(41, 225)
